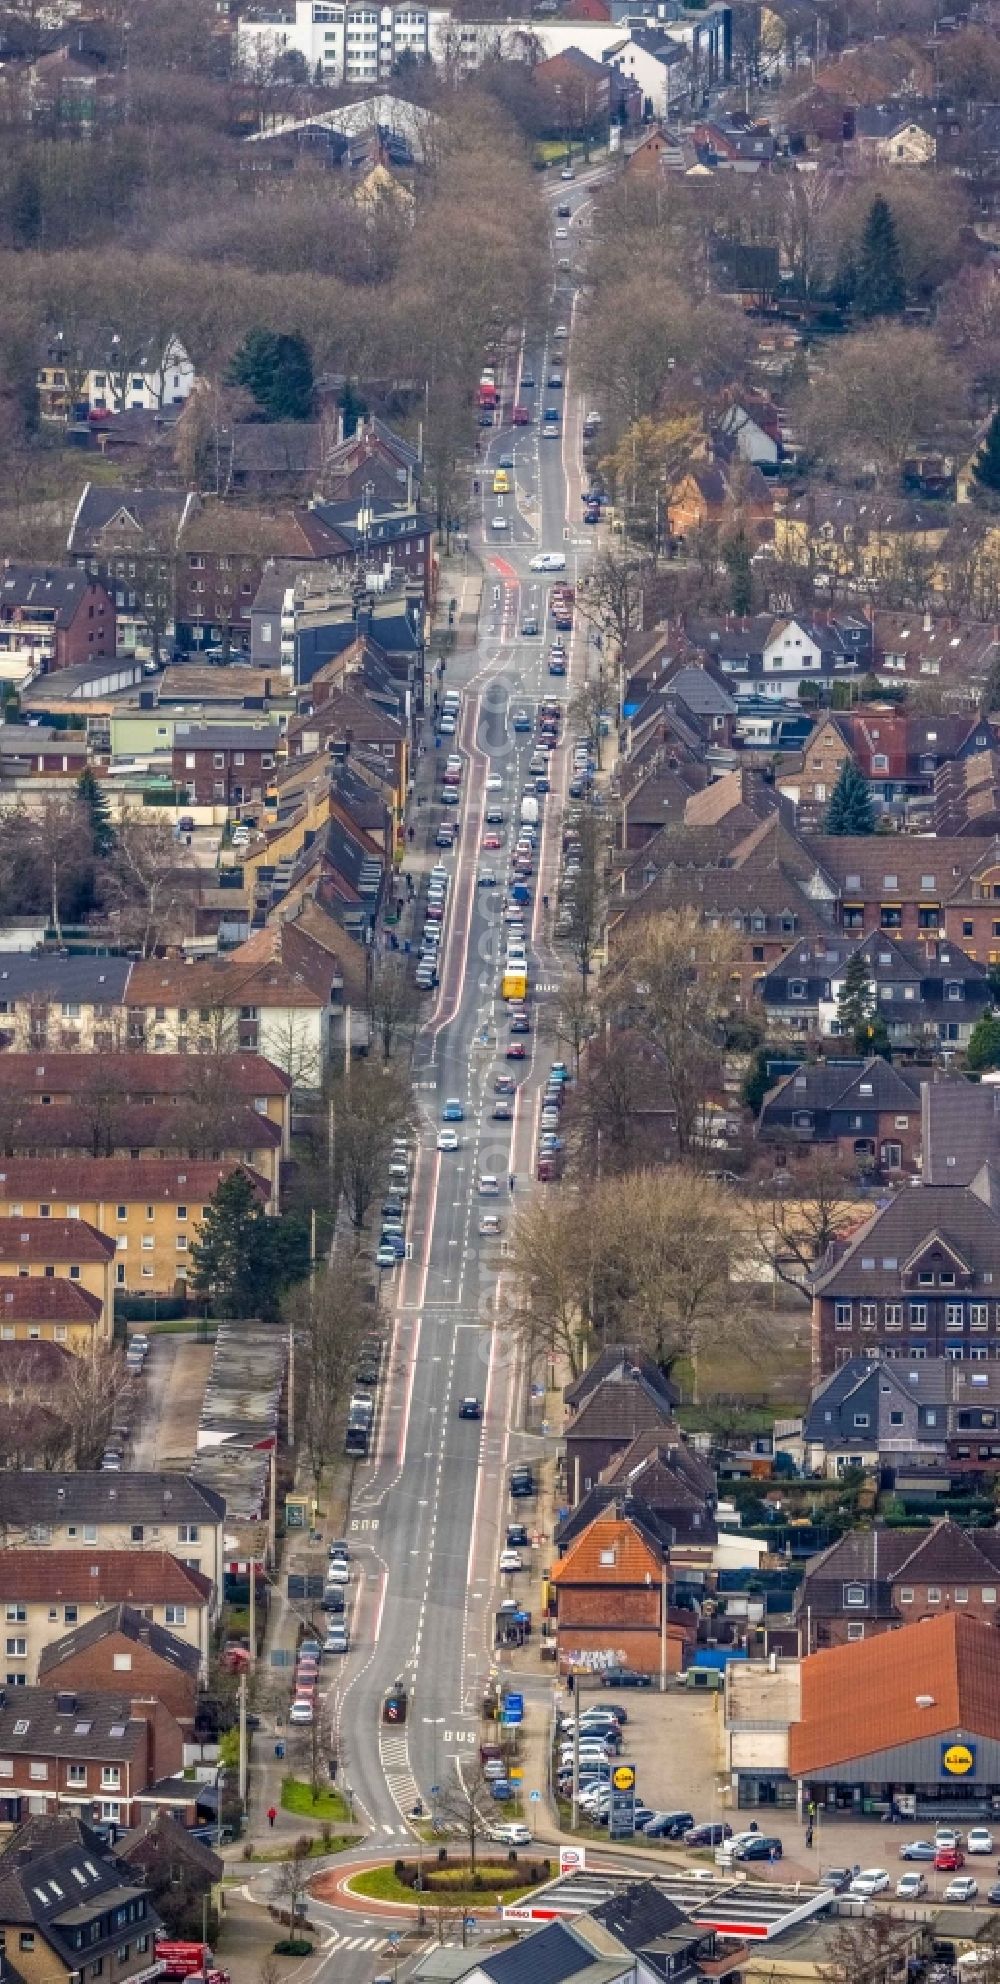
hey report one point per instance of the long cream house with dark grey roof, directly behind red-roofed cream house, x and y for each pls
(90, 1509)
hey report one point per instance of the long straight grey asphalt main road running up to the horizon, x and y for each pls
(430, 1509)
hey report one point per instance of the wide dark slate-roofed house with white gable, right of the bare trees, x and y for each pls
(922, 993)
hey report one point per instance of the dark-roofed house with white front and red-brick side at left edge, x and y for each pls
(53, 618)
